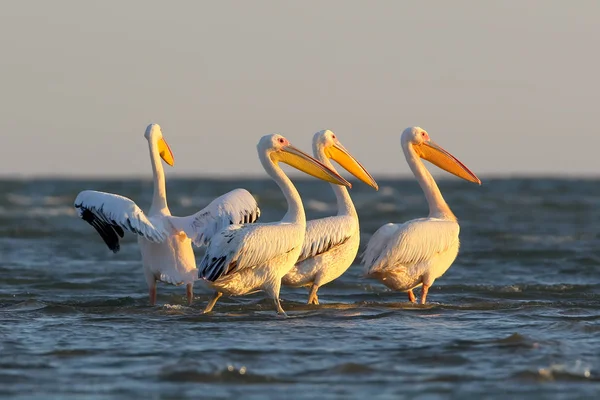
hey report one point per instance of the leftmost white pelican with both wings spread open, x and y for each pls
(165, 241)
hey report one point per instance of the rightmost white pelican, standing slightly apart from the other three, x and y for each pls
(417, 252)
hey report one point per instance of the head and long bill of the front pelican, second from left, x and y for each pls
(277, 149)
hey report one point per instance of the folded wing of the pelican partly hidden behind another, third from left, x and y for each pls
(324, 234)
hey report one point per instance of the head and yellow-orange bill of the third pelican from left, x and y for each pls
(326, 142)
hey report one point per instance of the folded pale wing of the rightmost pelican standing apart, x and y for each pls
(409, 243)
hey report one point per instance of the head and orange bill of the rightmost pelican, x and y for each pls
(435, 154)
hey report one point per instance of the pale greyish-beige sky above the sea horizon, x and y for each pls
(509, 87)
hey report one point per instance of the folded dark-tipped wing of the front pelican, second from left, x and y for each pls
(245, 246)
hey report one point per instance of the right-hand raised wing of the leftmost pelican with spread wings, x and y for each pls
(235, 207)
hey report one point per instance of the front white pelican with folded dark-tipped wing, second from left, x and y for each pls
(246, 258)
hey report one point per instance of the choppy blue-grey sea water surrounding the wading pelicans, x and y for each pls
(517, 315)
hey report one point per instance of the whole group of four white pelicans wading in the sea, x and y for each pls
(244, 257)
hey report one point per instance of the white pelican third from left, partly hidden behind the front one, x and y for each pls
(331, 243)
